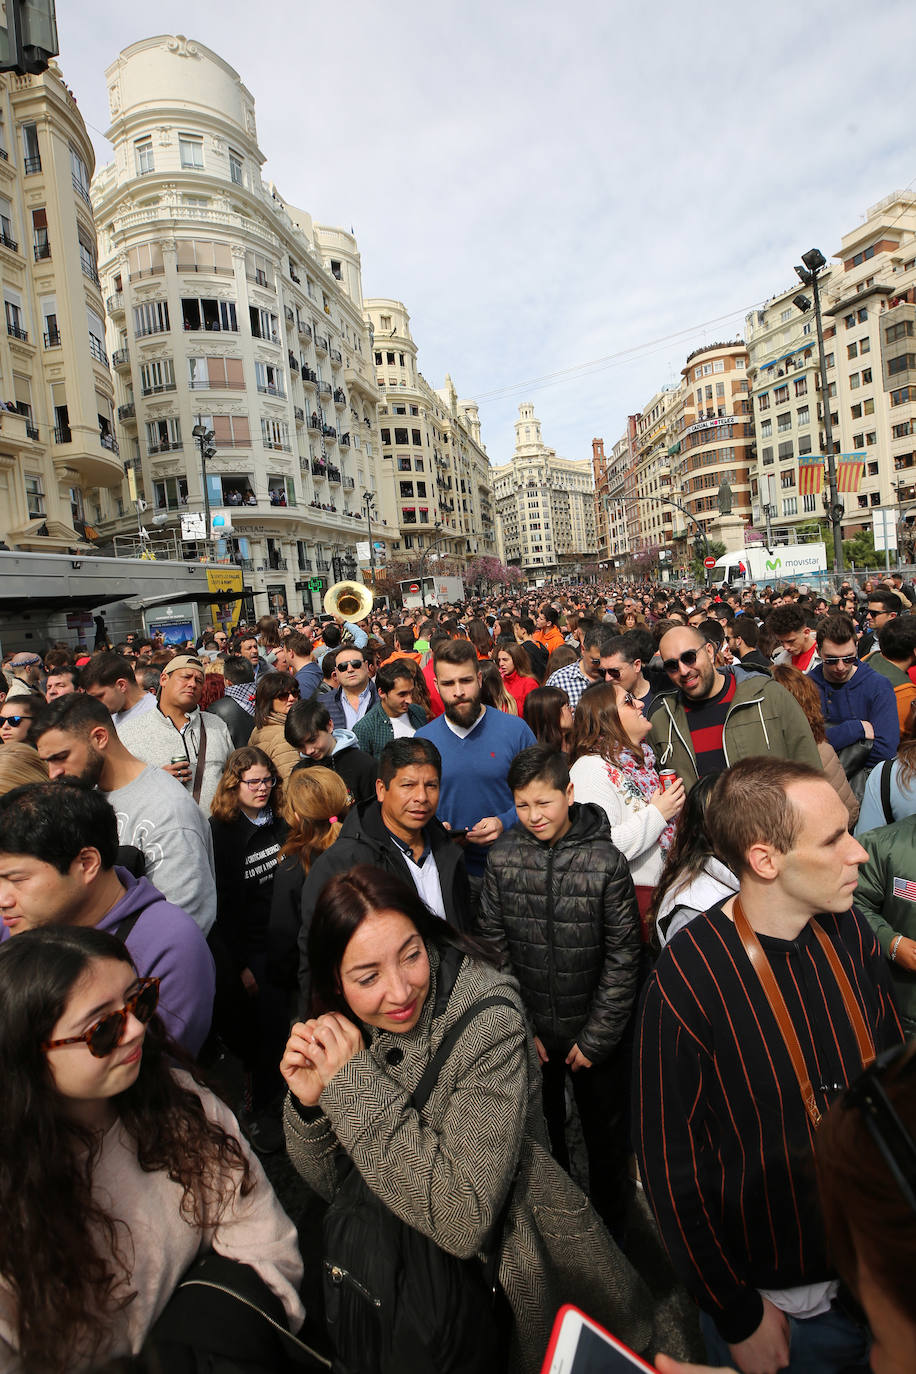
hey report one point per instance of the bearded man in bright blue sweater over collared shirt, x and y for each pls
(477, 745)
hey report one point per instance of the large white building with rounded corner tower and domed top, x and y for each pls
(233, 314)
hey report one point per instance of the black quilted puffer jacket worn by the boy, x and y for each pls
(566, 924)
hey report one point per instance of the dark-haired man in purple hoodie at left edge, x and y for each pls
(58, 844)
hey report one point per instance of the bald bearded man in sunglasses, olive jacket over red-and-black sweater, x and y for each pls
(713, 717)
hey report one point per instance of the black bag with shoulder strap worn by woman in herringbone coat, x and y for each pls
(395, 1300)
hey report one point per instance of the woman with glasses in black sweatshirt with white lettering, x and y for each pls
(249, 831)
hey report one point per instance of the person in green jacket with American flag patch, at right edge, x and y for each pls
(886, 897)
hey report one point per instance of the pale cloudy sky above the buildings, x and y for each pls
(583, 189)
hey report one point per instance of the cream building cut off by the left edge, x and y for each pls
(58, 447)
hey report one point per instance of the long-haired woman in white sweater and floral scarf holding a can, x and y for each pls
(613, 766)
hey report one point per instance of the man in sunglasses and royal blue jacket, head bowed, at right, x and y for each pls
(858, 703)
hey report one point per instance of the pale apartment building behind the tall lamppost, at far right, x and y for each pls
(869, 304)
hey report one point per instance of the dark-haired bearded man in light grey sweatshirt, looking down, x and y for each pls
(76, 739)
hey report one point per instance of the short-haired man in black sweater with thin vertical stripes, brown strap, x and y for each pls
(722, 1130)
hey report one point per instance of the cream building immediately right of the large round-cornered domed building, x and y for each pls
(435, 461)
